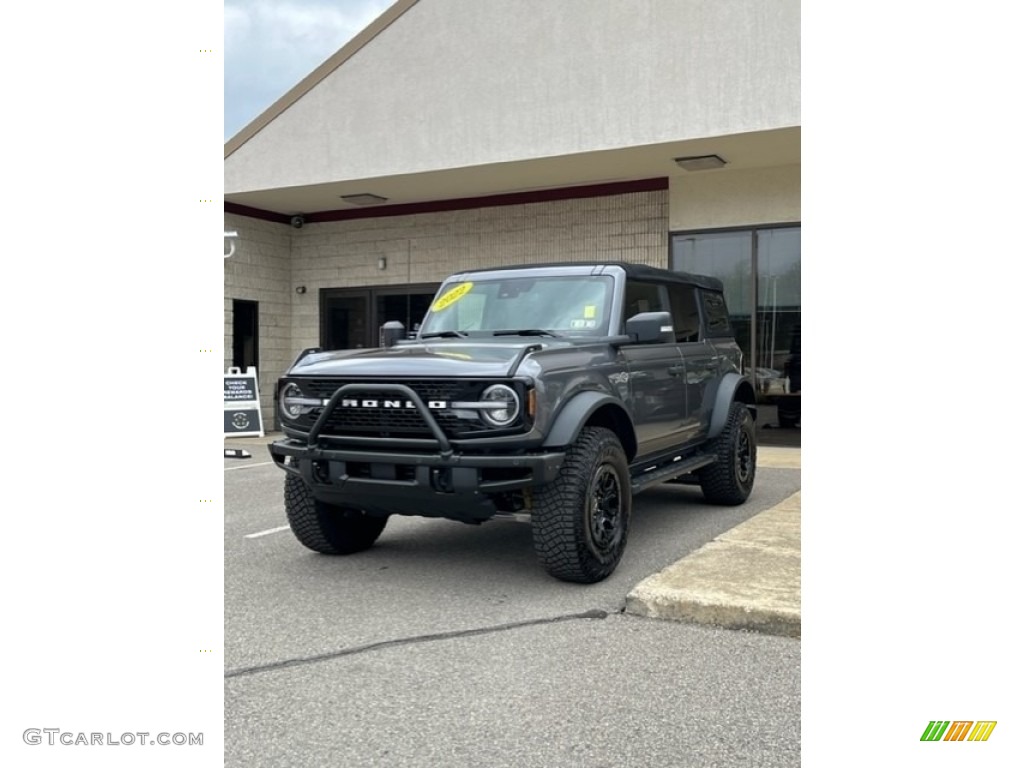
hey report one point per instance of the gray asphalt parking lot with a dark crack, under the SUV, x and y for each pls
(448, 645)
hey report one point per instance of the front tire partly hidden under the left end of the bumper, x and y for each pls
(328, 529)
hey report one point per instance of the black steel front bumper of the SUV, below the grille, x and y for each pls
(435, 485)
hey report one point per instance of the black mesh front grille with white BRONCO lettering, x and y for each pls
(401, 422)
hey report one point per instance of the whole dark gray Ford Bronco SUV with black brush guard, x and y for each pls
(556, 391)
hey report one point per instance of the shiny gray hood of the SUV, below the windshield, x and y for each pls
(425, 360)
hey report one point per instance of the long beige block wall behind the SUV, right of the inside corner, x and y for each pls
(426, 248)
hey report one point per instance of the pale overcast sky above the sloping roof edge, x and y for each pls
(271, 46)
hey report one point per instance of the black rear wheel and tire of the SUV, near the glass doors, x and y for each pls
(730, 481)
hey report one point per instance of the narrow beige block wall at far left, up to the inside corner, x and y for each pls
(260, 271)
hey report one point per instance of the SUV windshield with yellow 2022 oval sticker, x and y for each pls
(570, 306)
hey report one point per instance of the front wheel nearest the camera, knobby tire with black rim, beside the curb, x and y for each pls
(581, 522)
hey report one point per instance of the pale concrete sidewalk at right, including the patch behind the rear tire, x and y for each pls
(749, 578)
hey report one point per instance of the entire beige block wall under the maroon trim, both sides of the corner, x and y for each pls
(272, 261)
